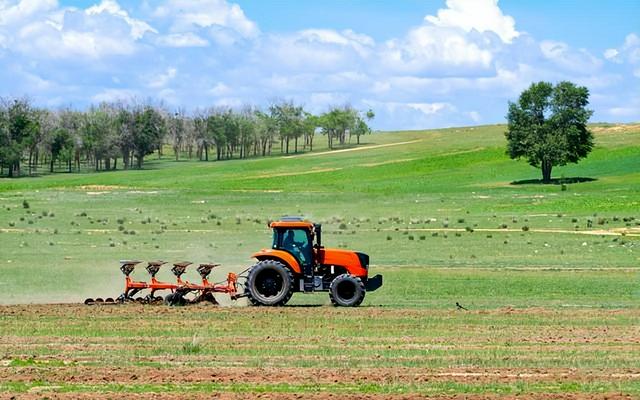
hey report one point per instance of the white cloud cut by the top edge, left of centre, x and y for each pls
(186, 15)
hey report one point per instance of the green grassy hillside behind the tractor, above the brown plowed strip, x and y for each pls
(428, 200)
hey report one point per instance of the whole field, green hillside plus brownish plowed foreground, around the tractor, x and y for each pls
(550, 273)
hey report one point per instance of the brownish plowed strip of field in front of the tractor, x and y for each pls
(105, 352)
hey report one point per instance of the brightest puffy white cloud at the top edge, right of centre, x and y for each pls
(481, 15)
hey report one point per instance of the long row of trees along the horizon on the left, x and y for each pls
(116, 135)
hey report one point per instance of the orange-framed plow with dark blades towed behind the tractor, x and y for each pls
(181, 292)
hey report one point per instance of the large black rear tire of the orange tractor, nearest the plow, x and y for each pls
(269, 283)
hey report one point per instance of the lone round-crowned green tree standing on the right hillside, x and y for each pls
(548, 126)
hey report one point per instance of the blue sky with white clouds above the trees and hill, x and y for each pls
(417, 64)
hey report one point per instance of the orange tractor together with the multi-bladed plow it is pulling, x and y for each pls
(296, 262)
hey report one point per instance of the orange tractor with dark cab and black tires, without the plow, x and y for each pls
(297, 262)
